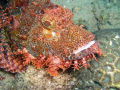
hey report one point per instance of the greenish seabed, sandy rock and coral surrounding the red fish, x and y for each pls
(102, 18)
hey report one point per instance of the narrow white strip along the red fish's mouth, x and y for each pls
(86, 46)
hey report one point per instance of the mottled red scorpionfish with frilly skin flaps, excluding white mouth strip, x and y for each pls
(51, 26)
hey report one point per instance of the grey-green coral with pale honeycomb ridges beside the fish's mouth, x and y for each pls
(105, 73)
